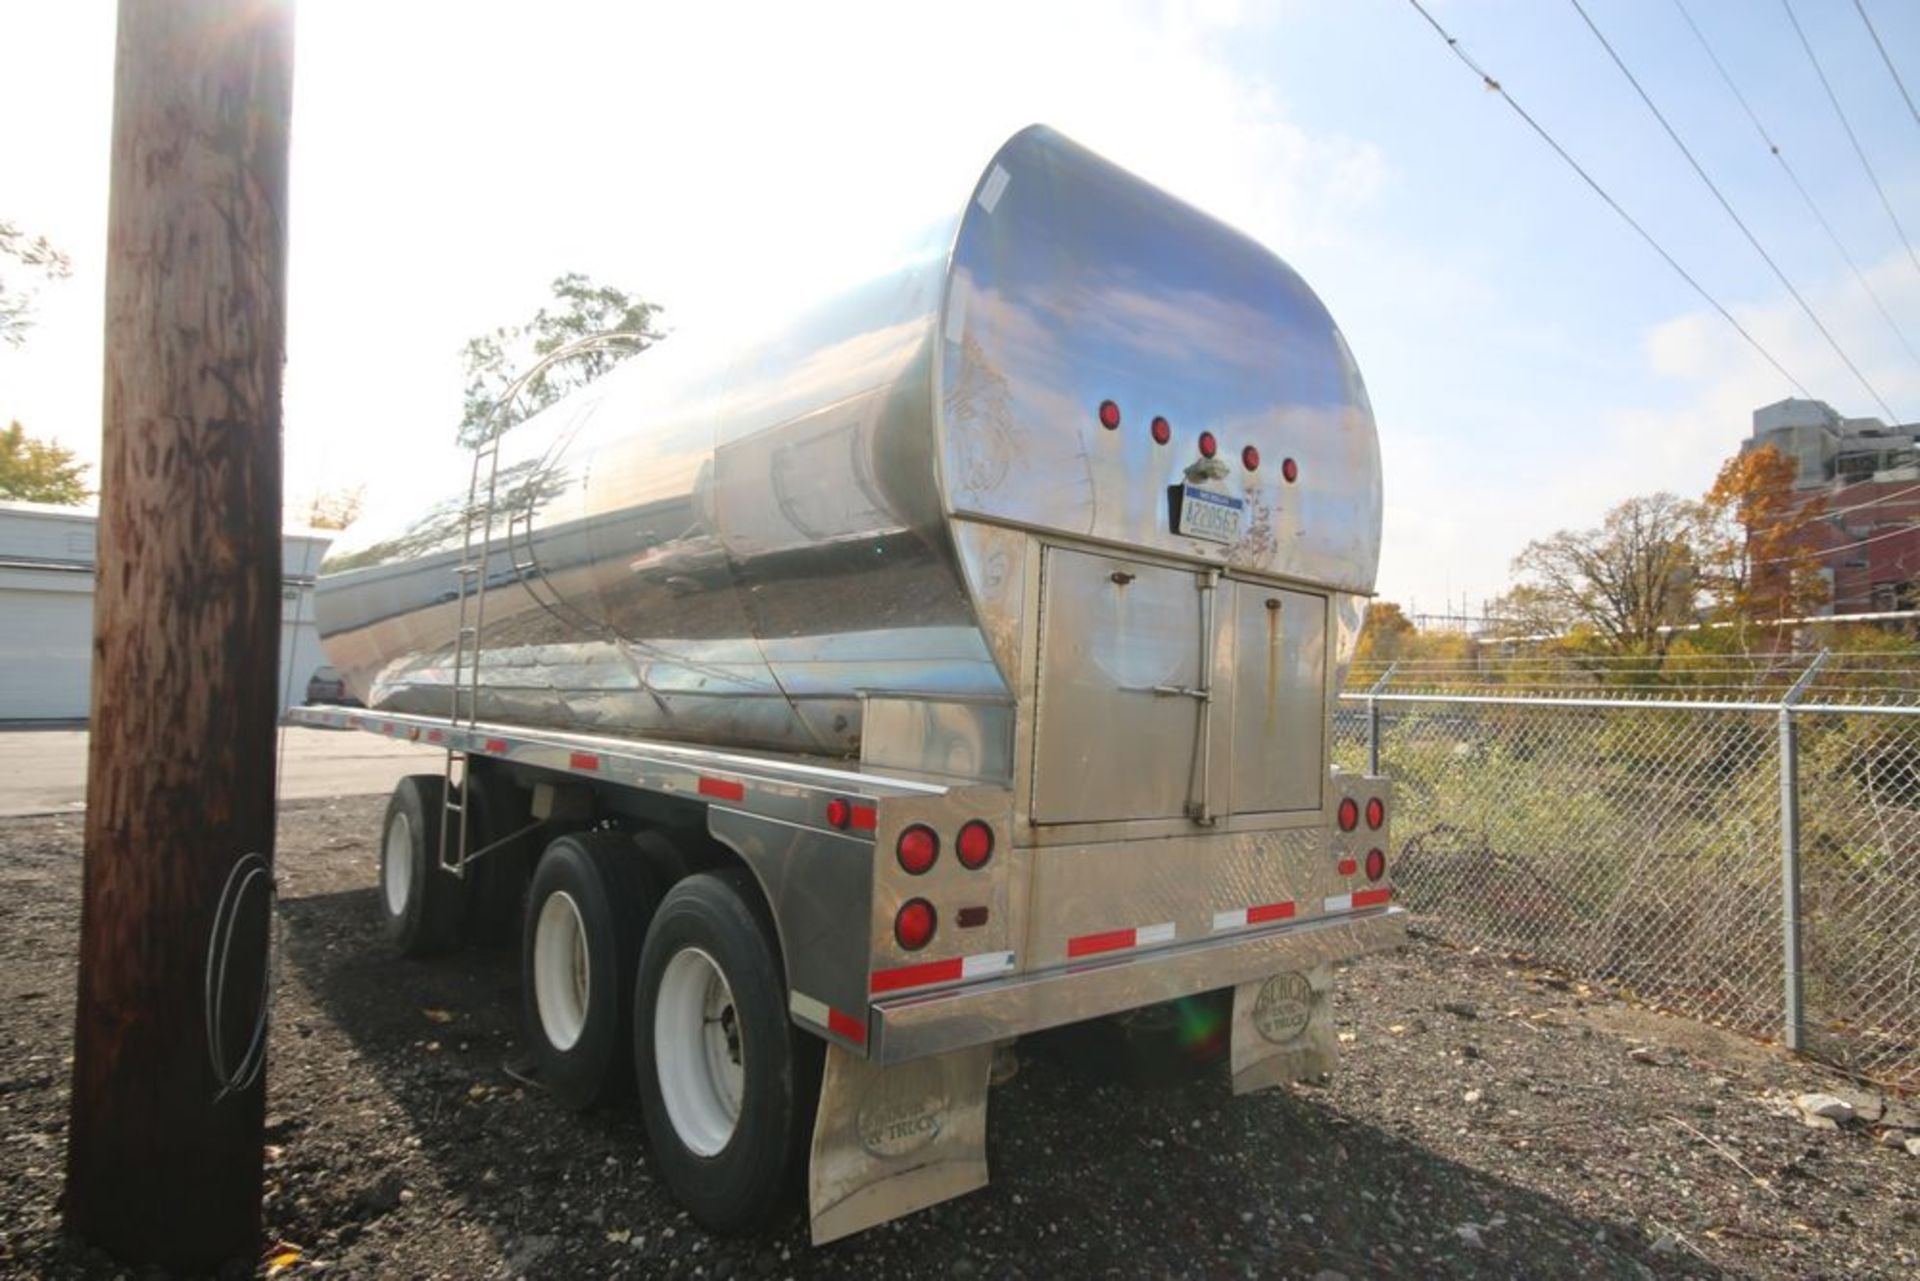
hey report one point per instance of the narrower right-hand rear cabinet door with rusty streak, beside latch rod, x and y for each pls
(1280, 712)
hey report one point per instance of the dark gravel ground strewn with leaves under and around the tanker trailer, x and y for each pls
(1489, 1121)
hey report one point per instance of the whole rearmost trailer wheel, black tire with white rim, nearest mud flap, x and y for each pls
(727, 1082)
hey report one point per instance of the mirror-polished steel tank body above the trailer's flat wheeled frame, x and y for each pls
(972, 481)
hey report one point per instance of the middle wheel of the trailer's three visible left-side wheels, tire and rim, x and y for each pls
(583, 1046)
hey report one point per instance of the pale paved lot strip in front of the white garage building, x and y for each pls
(45, 771)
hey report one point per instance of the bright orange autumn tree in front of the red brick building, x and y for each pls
(1758, 543)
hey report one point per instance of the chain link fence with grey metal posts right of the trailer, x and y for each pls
(1666, 838)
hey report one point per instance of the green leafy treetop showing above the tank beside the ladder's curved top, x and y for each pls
(581, 308)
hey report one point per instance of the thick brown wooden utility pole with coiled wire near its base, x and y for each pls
(164, 1161)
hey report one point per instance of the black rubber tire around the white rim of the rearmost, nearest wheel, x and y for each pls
(748, 1180)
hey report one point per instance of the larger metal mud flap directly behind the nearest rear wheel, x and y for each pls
(894, 1140)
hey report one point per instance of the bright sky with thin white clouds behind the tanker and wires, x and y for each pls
(1531, 362)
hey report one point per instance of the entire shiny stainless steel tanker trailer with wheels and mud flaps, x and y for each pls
(948, 665)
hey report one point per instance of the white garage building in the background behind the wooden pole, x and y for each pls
(47, 612)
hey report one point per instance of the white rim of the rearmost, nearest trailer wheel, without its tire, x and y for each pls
(700, 1051)
